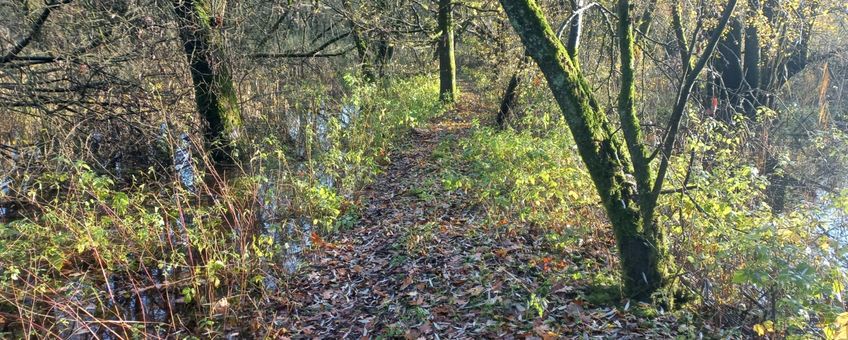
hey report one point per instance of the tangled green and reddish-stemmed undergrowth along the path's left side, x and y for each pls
(196, 257)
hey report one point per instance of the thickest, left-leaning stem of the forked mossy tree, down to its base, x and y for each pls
(642, 259)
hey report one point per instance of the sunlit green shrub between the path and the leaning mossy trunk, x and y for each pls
(534, 178)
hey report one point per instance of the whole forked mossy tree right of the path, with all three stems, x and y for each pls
(619, 168)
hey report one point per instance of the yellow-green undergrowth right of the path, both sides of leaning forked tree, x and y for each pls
(751, 272)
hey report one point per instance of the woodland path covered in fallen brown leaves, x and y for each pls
(421, 262)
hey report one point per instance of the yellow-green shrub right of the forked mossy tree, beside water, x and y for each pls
(734, 251)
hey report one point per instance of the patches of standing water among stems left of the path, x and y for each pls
(147, 299)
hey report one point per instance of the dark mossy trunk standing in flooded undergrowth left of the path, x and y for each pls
(215, 95)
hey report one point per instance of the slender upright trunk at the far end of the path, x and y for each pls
(447, 62)
